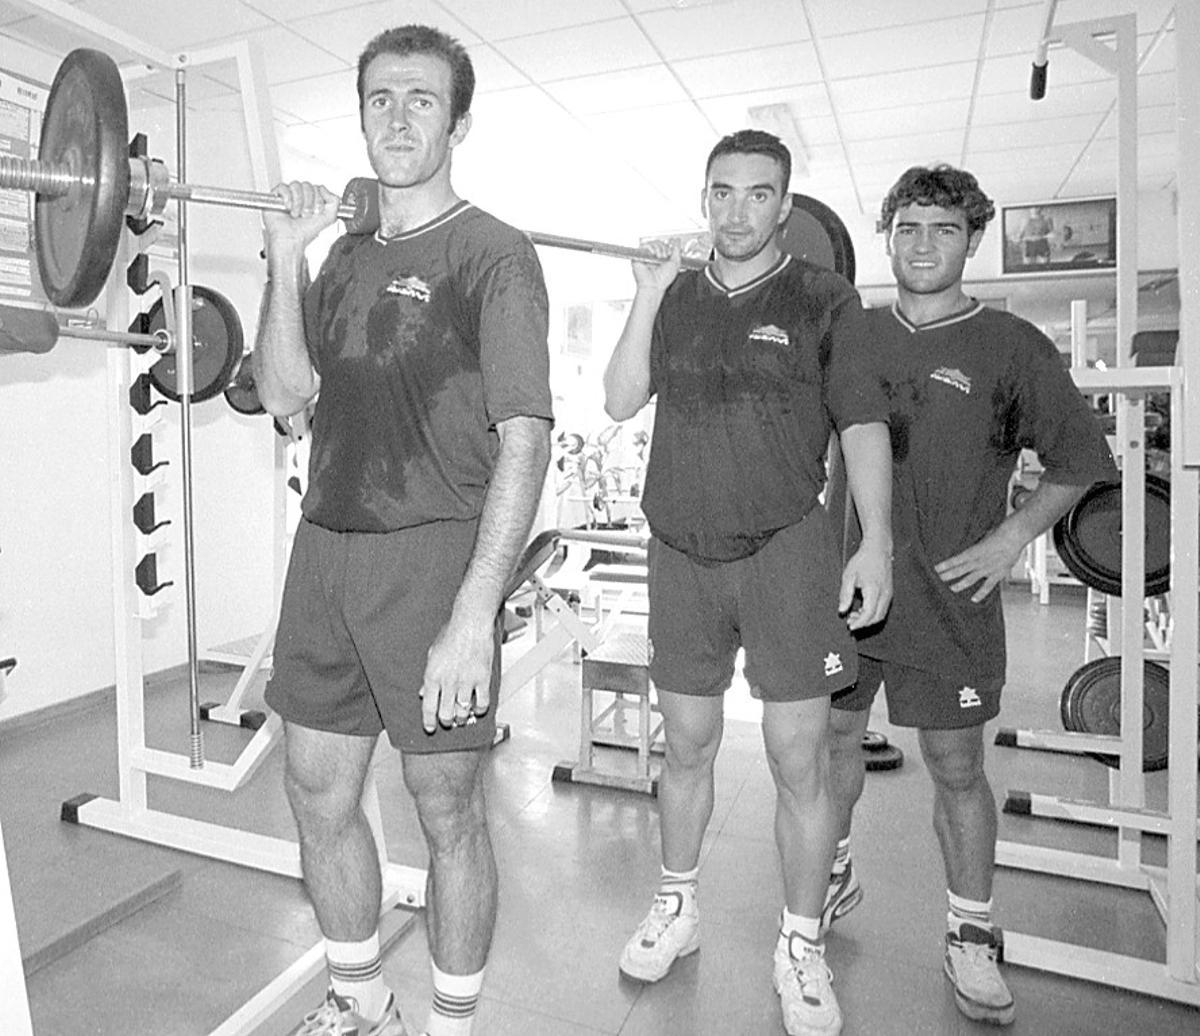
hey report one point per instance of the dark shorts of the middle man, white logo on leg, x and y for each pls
(781, 606)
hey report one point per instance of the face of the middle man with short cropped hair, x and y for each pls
(746, 205)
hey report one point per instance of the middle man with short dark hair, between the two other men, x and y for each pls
(754, 361)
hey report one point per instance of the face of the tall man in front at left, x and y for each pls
(406, 118)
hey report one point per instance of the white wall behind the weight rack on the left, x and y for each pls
(56, 531)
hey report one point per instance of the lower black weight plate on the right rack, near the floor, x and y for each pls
(1091, 704)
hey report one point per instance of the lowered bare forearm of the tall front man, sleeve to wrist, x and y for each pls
(509, 510)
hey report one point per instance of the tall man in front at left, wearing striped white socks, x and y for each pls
(430, 444)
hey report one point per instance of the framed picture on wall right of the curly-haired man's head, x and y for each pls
(1066, 237)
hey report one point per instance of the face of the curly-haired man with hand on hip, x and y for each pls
(929, 248)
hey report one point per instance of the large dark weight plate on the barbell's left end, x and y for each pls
(86, 129)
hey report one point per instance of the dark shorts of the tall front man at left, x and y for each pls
(359, 614)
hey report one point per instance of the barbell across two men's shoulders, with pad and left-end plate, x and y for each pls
(87, 184)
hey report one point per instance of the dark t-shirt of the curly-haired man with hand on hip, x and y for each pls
(968, 394)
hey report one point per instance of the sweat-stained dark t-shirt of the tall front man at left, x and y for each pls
(424, 343)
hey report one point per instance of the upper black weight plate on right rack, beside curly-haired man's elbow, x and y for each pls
(1088, 538)
